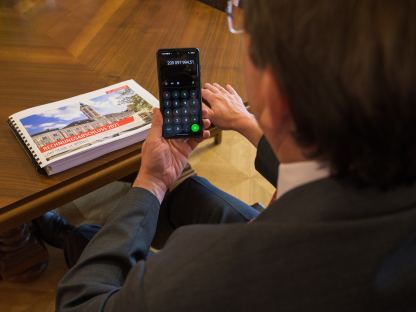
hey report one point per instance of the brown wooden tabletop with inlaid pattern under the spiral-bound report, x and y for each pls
(55, 49)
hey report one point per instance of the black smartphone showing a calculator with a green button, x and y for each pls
(179, 76)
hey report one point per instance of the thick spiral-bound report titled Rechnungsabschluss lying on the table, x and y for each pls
(63, 134)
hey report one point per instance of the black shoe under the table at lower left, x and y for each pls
(52, 228)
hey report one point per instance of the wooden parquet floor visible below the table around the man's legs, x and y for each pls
(228, 166)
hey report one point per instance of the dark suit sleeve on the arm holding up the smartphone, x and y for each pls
(95, 283)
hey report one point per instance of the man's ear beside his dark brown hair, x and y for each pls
(275, 115)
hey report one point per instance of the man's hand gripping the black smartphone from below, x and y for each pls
(163, 160)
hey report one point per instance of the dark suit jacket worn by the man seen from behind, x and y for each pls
(315, 249)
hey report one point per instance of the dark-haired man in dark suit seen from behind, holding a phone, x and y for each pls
(332, 88)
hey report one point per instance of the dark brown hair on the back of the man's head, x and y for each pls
(348, 71)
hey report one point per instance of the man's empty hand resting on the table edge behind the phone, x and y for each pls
(227, 111)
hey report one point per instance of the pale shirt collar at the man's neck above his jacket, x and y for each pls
(292, 175)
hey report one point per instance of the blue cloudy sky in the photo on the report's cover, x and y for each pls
(60, 117)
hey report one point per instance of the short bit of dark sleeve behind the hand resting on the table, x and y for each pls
(266, 162)
